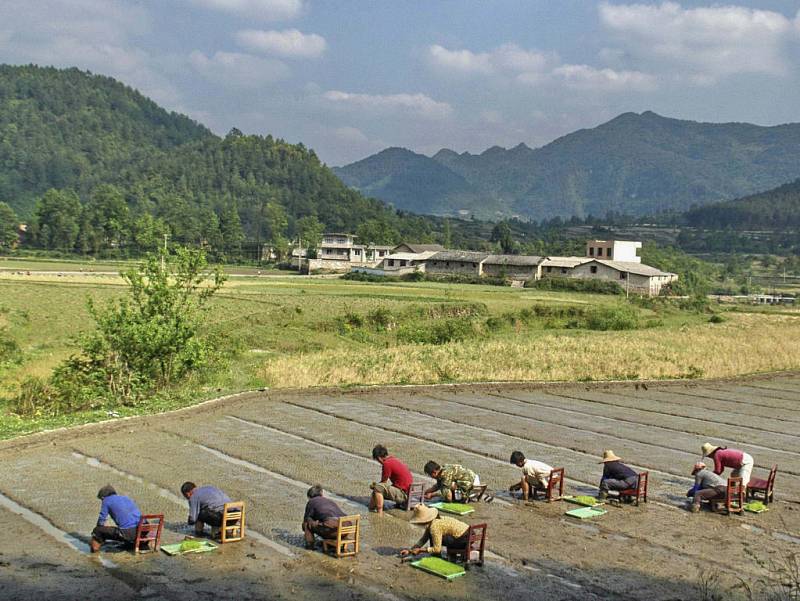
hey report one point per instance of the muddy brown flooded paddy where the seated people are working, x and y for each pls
(268, 448)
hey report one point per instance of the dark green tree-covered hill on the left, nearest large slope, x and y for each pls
(93, 165)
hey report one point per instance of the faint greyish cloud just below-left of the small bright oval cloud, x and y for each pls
(237, 69)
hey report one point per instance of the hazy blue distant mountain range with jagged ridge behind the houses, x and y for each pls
(635, 164)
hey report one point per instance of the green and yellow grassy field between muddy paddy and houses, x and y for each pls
(299, 332)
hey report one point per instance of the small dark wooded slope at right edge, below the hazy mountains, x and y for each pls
(776, 209)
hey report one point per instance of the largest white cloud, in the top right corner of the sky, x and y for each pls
(703, 43)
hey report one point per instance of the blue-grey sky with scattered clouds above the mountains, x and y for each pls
(350, 78)
